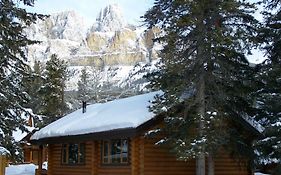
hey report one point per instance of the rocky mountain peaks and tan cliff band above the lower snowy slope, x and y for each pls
(109, 40)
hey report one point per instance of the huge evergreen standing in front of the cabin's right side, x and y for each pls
(204, 75)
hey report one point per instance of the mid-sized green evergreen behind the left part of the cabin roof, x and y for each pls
(52, 91)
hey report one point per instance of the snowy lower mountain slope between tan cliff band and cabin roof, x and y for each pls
(123, 76)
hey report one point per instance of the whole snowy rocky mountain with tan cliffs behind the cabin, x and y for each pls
(112, 48)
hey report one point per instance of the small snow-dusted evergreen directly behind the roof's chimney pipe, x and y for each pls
(84, 86)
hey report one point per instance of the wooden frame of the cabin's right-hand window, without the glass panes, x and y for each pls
(109, 152)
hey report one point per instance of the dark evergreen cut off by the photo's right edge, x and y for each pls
(269, 94)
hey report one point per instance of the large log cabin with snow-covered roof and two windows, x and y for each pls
(110, 139)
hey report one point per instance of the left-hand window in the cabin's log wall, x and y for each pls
(73, 153)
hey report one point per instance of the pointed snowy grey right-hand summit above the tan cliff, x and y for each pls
(110, 19)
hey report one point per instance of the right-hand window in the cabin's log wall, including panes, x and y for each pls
(115, 151)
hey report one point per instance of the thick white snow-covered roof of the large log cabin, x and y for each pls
(118, 114)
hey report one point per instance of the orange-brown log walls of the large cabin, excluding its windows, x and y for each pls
(145, 159)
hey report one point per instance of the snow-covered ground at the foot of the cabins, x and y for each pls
(29, 169)
